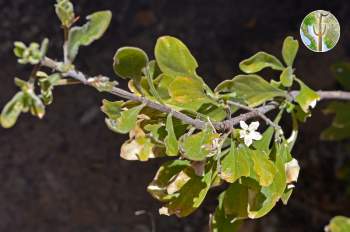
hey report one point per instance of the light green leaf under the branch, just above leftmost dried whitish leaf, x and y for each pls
(126, 121)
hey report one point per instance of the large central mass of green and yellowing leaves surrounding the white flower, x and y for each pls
(255, 177)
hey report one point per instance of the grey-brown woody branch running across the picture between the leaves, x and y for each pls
(197, 123)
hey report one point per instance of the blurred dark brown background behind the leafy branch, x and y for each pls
(63, 173)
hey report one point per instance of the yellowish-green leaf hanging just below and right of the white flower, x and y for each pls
(264, 168)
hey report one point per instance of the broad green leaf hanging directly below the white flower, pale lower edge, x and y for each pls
(235, 164)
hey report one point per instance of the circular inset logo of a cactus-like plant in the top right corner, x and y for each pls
(320, 31)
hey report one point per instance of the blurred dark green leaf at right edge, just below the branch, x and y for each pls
(340, 128)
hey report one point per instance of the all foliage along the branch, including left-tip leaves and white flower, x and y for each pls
(253, 176)
